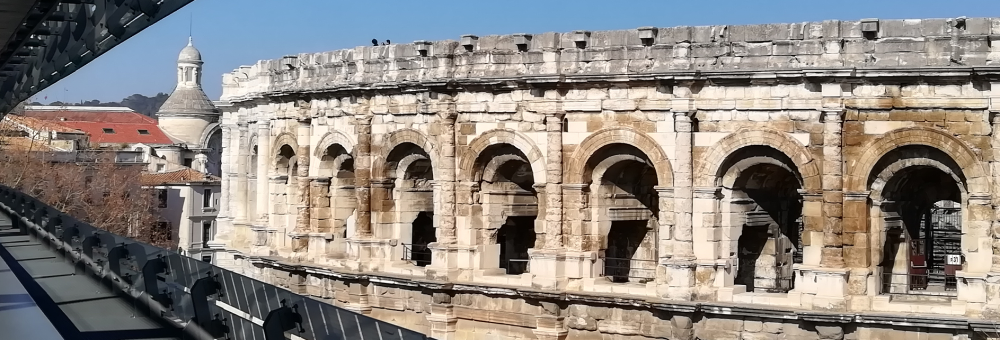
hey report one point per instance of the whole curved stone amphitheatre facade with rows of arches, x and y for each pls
(828, 180)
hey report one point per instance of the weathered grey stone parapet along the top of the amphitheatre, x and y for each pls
(869, 43)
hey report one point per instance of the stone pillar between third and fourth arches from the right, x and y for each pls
(553, 178)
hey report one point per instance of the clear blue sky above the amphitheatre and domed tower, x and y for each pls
(231, 33)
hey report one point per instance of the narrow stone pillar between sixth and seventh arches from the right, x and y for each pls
(299, 242)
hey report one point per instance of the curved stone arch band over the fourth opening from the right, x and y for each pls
(467, 168)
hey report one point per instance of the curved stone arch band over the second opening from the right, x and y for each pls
(708, 173)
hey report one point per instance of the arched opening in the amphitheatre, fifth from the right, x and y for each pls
(407, 193)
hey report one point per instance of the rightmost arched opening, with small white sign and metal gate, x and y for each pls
(922, 193)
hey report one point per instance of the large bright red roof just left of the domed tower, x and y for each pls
(125, 125)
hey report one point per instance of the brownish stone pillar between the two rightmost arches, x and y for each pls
(833, 182)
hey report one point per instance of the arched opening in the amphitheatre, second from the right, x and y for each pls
(764, 207)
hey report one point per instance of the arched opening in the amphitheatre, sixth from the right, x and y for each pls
(337, 164)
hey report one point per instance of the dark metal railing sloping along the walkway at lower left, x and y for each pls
(209, 301)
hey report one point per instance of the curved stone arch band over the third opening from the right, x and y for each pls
(616, 135)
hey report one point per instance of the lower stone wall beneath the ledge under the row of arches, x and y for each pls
(504, 313)
